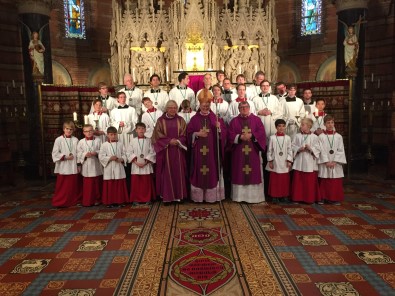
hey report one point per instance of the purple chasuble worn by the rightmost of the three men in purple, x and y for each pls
(246, 163)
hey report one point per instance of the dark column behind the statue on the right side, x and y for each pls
(352, 13)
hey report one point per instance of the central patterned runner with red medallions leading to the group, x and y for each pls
(205, 249)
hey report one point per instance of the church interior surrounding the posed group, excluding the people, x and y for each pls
(189, 248)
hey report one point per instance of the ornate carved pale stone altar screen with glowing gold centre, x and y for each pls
(146, 39)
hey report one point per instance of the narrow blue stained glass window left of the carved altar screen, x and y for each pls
(74, 18)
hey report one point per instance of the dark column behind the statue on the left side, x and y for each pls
(34, 17)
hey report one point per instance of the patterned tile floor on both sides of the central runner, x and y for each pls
(328, 249)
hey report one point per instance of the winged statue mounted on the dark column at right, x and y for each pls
(351, 44)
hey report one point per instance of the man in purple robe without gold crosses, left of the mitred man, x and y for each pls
(169, 140)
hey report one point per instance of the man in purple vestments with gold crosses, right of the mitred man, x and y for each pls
(247, 139)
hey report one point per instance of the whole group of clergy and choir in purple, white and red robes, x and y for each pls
(203, 147)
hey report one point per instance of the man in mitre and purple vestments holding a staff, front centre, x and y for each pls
(206, 132)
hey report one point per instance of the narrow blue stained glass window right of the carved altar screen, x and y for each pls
(311, 17)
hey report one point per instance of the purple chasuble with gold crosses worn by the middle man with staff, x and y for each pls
(204, 156)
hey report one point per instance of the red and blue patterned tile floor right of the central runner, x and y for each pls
(338, 250)
